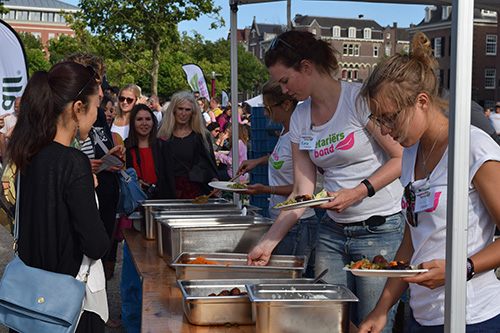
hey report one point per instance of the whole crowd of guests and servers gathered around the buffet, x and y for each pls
(381, 146)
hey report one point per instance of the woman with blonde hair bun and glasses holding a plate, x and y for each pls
(404, 99)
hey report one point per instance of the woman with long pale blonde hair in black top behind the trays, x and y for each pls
(193, 158)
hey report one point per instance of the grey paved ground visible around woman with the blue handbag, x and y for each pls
(113, 287)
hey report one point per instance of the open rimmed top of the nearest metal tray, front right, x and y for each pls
(300, 293)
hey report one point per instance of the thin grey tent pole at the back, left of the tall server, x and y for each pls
(234, 87)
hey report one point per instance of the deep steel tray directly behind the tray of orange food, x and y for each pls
(226, 234)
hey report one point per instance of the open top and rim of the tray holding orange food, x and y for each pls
(229, 261)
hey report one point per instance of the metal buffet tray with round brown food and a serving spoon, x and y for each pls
(201, 309)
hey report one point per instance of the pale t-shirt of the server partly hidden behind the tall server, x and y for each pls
(280, 172)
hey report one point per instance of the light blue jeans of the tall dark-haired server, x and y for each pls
(338, 246)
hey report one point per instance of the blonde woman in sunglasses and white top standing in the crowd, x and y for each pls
(127, 98)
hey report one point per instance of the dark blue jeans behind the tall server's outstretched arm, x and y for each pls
(300, 240)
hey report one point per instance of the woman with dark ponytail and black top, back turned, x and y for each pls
(59, 219)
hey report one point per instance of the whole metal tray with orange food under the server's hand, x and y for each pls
(233, 266)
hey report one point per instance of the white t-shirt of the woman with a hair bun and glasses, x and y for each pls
(429, 237)
